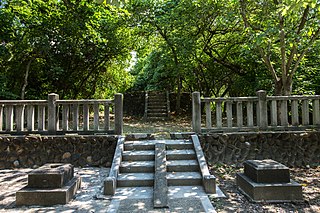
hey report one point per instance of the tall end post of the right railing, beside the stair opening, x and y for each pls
(196, 112)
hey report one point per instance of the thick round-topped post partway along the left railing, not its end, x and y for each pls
(52, 113)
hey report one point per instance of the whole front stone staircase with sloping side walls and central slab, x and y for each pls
(163, 169)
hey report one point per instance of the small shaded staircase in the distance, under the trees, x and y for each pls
(157, 106)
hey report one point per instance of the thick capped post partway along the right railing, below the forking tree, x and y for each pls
(262, 109)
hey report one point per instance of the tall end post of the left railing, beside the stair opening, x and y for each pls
(118, 115)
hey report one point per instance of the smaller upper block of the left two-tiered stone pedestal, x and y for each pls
(51, 175)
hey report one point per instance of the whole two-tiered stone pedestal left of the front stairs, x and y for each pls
(48, 185)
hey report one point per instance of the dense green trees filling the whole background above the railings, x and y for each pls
(83, 48)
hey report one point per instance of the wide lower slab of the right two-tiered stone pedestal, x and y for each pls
(269, 192)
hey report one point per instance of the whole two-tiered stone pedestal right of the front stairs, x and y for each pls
(268, 181)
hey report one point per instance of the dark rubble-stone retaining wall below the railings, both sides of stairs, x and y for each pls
(289, 148)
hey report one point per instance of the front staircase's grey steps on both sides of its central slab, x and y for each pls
(137, 167)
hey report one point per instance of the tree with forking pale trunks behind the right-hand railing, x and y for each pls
(283, 32)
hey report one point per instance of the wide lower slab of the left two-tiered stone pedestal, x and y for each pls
(47, 197)
